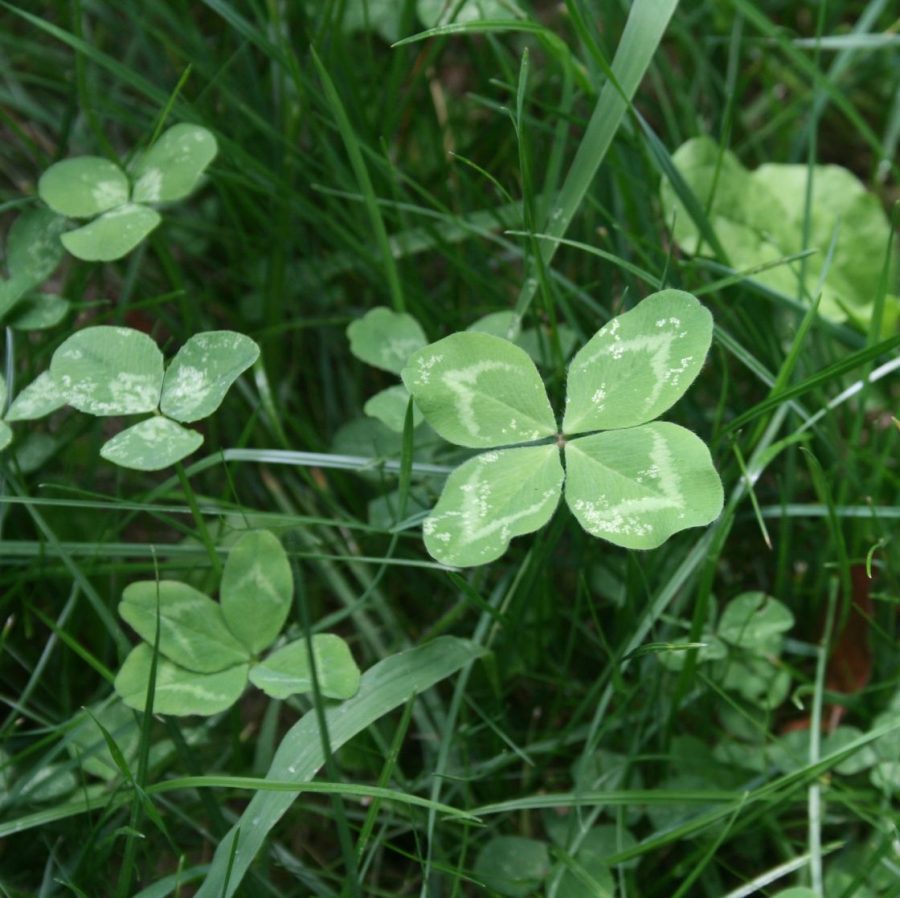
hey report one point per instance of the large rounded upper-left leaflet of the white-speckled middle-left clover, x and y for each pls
(109, 371)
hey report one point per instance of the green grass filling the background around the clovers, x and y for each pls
(427, 176)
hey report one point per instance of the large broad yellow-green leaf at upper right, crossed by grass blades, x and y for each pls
(758, 218)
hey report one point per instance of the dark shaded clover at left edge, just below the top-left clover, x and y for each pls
(33, 252)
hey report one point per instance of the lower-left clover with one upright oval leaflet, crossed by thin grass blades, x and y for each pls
(209, 650)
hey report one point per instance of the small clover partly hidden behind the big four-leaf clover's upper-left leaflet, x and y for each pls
(386, 339)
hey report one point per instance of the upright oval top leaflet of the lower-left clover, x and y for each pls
(257, 589)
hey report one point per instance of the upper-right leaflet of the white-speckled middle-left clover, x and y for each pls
(203, 371)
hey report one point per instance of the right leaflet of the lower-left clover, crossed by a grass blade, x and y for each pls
(287, 671)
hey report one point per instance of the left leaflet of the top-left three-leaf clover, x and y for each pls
(83, 187)
